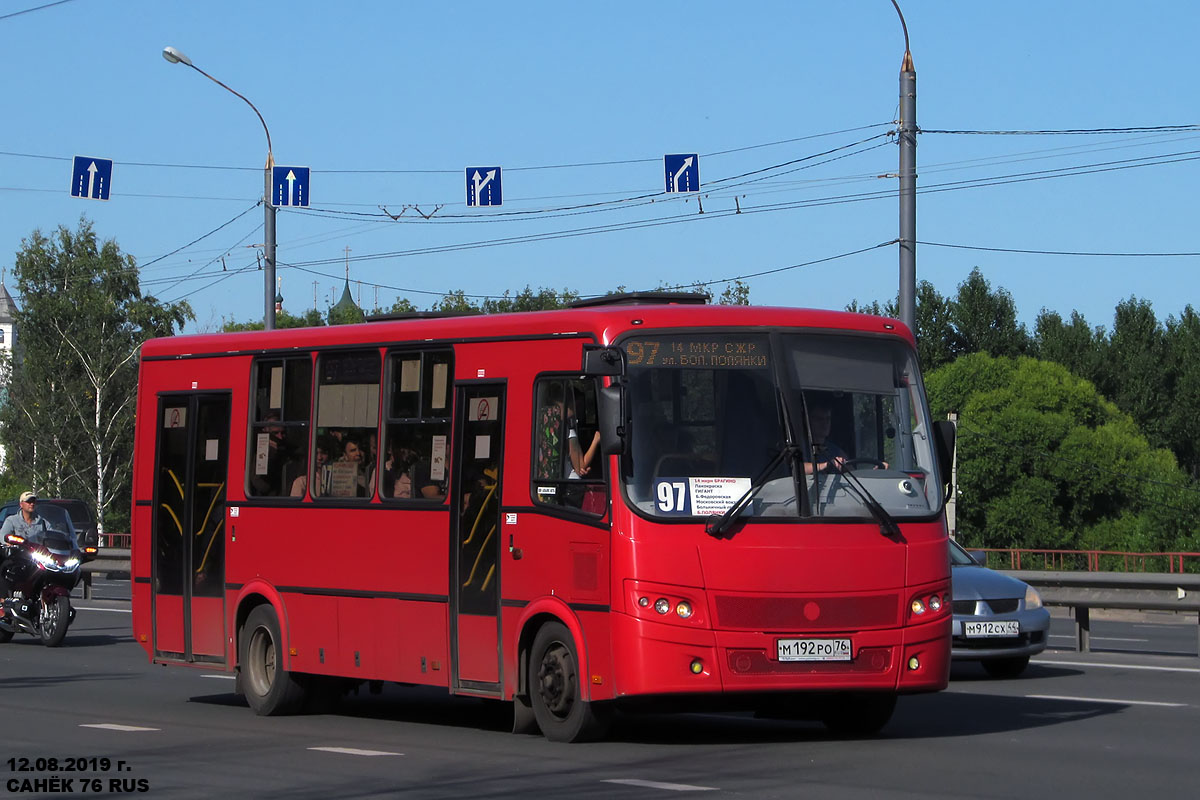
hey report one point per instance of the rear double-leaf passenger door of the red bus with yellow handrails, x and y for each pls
(189, 528)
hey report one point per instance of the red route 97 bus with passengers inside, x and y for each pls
(641, 501)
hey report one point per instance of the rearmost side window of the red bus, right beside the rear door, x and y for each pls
(279, 431)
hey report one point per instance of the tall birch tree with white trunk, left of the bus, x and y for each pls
(69, 422)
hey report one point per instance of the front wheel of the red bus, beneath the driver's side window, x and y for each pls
(556, 691)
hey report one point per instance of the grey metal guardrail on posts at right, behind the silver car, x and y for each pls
(1083, 592)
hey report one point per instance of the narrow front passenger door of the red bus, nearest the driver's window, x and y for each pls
(476, 527)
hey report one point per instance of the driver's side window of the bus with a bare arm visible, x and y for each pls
(568, 468)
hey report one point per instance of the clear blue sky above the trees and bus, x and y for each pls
(389, 103)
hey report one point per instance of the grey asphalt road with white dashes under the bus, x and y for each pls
(1100, 725)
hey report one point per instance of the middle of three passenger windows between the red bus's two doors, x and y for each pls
(347, 419)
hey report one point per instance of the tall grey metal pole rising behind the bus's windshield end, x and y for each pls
(908, 136)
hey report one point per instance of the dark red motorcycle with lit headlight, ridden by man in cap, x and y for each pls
(43, 574)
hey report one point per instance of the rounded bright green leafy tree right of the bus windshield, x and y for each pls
(1046, 462)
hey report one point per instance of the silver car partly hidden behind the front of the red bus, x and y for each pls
(999, 621)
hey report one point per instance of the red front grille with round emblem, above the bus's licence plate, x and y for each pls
(807, 613)
